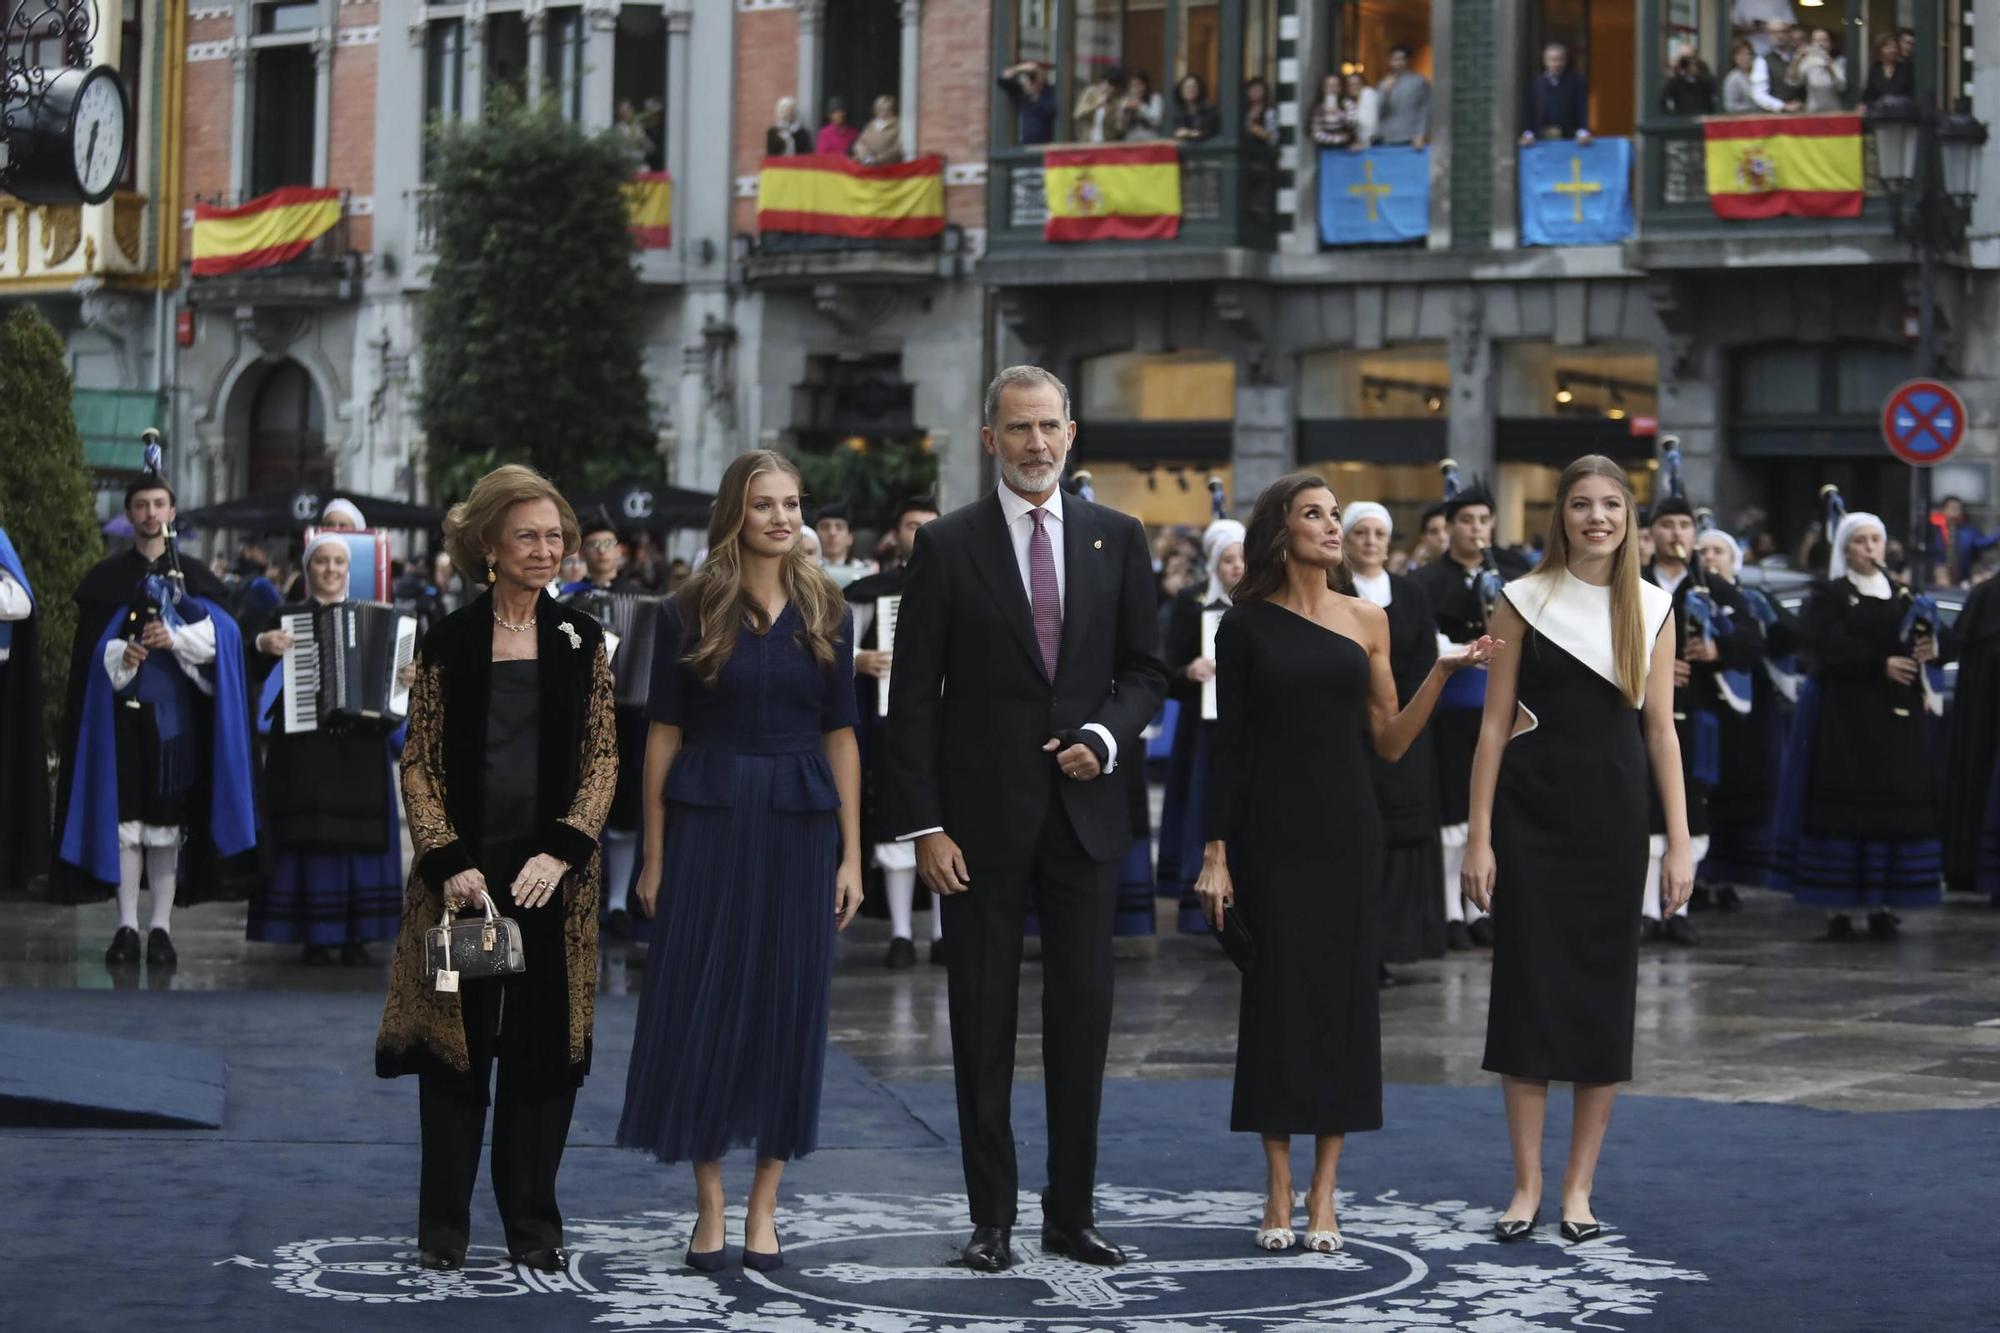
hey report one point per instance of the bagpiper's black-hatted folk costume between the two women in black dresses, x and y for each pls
(1459, 599)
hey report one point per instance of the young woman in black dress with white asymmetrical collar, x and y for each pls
(1559, 834)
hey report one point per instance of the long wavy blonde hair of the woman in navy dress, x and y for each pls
(715, 603)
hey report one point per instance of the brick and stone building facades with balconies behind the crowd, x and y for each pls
(1243, 347)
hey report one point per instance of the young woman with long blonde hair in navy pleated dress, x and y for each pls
(753, 856)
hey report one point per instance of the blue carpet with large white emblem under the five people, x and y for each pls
(299, 1212)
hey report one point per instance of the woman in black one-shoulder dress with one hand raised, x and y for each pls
(1303, 678)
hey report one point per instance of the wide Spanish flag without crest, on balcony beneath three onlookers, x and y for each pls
(825, 195)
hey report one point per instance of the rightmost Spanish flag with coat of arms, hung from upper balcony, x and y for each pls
(1773, 167)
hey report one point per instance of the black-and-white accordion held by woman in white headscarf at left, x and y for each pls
(345, 663)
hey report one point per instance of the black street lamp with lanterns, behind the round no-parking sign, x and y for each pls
(1931, 169)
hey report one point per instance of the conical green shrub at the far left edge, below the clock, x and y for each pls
(45, 491)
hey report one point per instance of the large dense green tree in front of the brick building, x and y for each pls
(533, 319)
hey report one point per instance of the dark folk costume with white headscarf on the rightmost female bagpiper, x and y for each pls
(1859, 812)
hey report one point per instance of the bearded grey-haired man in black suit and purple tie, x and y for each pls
(1027, 665)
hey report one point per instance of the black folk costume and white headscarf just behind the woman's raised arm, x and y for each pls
(1407, 792)
